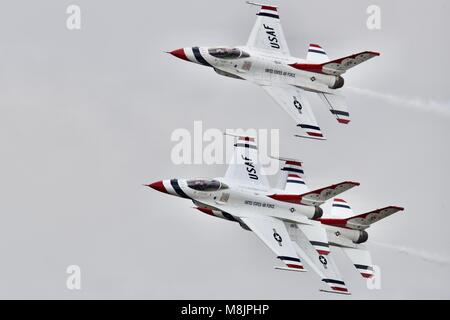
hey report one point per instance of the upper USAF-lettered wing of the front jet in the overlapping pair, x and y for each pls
(245, 168)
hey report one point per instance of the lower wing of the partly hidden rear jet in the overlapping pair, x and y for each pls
(311, 244)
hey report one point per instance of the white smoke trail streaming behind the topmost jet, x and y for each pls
(427, 105)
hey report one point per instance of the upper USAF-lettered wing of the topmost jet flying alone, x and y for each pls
(267, 33)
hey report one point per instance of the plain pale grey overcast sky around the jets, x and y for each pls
(86, 118)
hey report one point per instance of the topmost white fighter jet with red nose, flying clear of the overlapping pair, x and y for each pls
(266, 61)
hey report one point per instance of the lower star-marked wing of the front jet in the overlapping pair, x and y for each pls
(273, 233)
